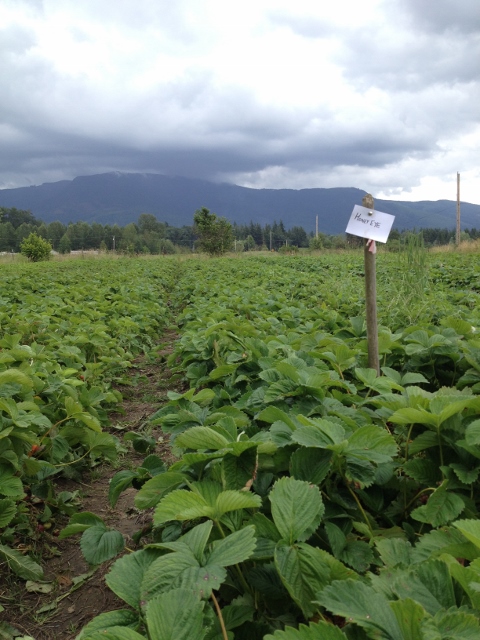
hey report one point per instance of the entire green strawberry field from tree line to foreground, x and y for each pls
(300, 495)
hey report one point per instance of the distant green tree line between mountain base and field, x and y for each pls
(149, 235)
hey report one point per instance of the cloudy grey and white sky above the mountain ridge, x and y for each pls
(382, 95)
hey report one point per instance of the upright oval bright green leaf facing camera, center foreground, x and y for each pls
(297, 508)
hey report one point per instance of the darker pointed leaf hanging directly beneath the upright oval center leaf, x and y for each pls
(304, 572)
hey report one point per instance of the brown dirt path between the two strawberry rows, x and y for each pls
(76, 593)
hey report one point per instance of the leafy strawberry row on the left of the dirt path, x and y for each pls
(68, 330)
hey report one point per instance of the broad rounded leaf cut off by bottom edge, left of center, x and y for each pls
(176, 615)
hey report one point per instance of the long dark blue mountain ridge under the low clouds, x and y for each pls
(119, 198)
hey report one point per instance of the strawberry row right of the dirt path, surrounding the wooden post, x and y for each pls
(310, 498)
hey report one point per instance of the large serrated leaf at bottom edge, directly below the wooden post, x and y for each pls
(359, 602)
